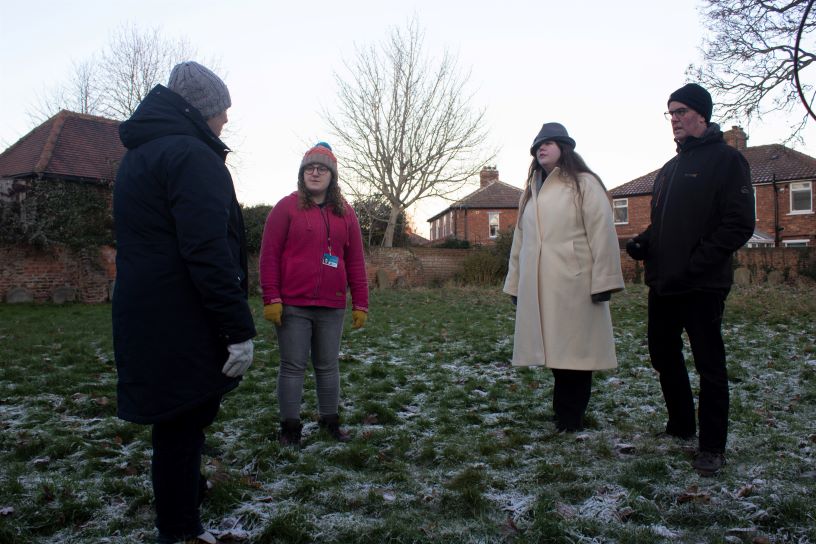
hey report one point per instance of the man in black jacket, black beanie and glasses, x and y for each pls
(702, 211)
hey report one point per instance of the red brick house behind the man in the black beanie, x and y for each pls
(783, 181)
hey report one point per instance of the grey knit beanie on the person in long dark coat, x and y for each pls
(200, 87)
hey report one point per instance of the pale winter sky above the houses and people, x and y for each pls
(603, 69)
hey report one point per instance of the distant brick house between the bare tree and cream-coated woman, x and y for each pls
(480, 216)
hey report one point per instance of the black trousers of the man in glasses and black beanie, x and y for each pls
(700, 314)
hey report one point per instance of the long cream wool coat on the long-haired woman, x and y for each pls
(560, 256)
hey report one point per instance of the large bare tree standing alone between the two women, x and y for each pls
(406, 124)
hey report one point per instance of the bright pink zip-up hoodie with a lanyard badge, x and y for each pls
(292, 254)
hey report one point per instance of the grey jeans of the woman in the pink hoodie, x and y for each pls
(305, 331)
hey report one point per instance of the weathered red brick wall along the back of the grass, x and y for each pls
(60, 274)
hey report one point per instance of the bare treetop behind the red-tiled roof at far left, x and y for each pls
(115, 81)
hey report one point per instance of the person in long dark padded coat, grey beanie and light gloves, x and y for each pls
(182, 328)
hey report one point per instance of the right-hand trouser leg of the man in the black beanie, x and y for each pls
(704, 328)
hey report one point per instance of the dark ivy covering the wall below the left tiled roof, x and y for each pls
(42, 213)
